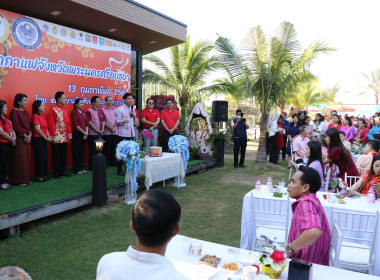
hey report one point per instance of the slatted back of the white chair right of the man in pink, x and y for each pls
(358, 229)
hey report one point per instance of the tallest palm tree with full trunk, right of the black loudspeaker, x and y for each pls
(269, 68)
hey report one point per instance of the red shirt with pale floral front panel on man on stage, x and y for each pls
(59, 124)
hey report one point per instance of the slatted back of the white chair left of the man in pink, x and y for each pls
(271, 214)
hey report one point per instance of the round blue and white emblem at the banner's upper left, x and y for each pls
(26, 33)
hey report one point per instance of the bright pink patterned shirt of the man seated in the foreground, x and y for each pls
(308, 213)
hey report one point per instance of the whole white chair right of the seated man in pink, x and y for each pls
(358, 239)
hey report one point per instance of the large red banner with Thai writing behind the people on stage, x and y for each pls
(39, 58)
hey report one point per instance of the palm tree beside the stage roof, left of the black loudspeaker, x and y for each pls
(186, 72)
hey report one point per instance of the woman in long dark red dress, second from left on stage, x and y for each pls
(20, 170)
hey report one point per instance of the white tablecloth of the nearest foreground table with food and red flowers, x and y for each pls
(189, 265)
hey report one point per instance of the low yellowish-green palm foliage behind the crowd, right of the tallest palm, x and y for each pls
(310, 94)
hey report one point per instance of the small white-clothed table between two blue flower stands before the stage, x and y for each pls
(156, 169)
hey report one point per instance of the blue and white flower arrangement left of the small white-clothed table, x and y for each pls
(129, 152)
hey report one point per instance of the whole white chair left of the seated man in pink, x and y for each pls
(270, 218)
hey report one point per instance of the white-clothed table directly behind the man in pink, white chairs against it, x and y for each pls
(355, 205)
